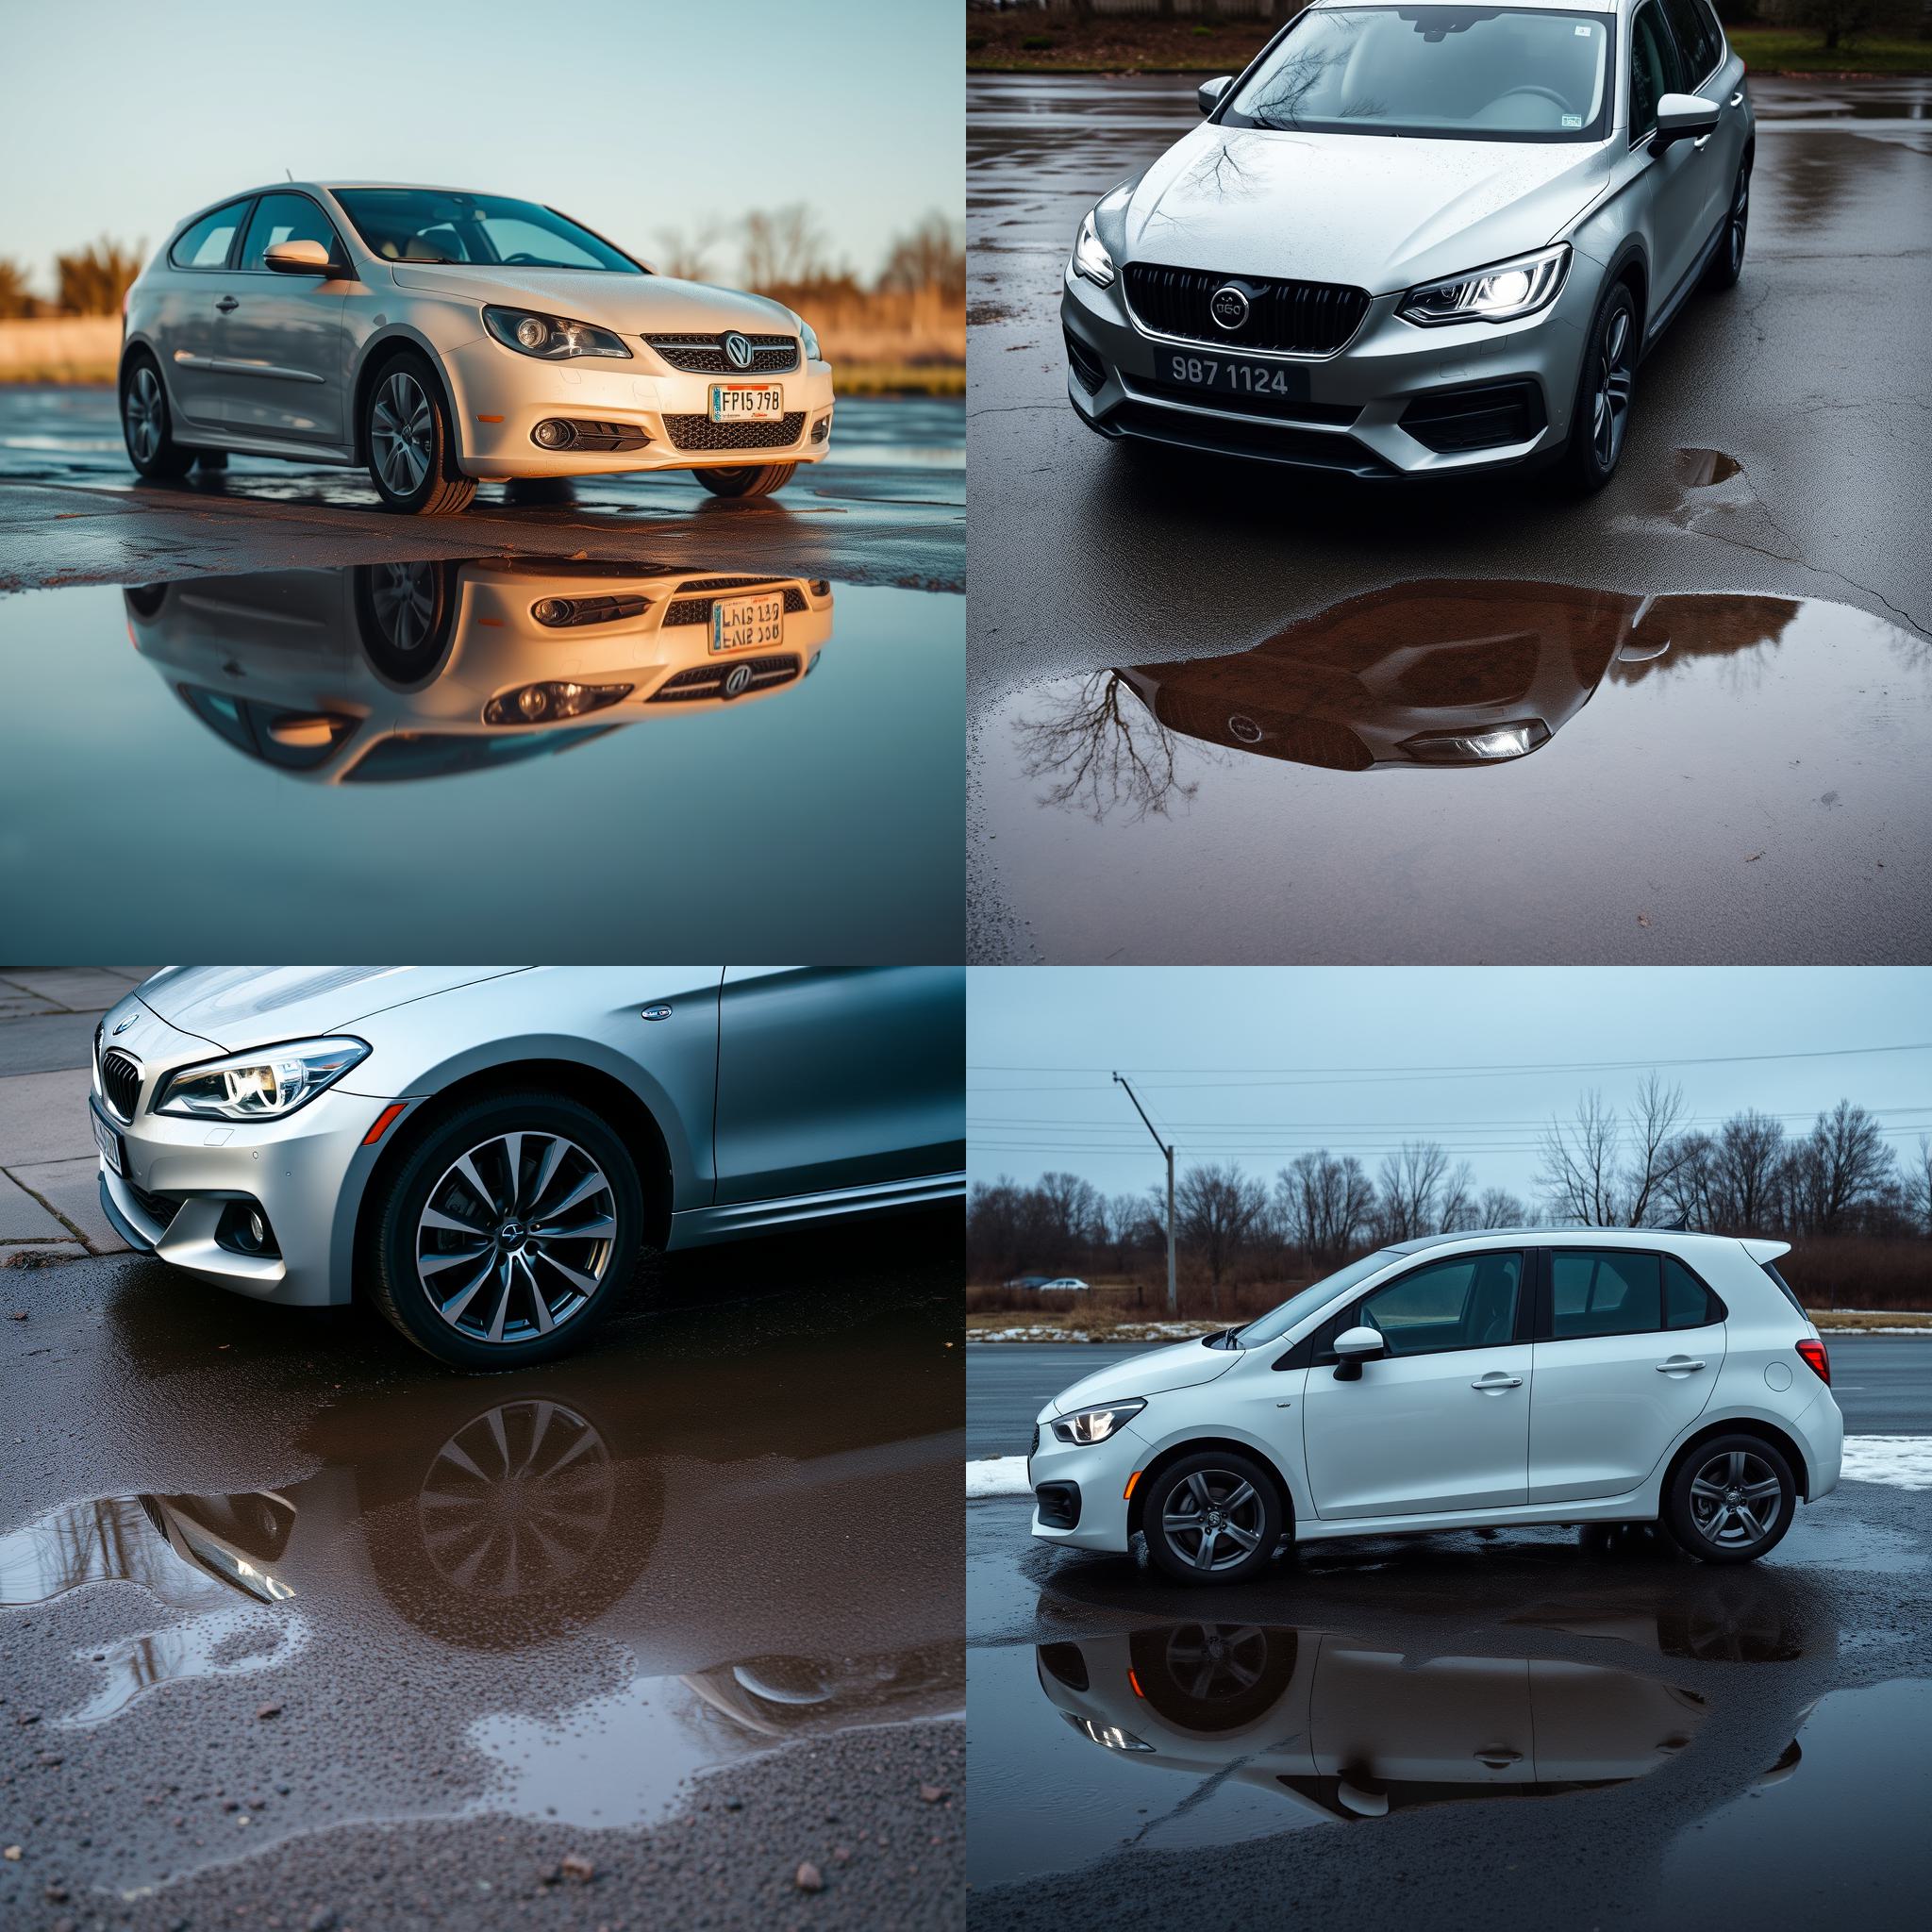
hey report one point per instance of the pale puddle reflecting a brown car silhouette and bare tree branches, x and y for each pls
(1477, 772)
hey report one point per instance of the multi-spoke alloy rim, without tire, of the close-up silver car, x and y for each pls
(517, 1237)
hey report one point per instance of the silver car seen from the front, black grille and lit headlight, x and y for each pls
(1419, 239)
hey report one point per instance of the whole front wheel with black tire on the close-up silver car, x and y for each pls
(490, 1315)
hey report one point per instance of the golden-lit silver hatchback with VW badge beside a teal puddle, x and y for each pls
(447, 339)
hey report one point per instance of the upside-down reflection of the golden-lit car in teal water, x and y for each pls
(384, 673)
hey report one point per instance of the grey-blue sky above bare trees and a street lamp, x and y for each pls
(1261, 1064)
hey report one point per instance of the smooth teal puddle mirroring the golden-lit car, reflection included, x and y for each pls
(631, 754)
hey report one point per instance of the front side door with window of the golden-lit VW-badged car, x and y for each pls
(285, 355)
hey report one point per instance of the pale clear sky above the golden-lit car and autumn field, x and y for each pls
(635, 117)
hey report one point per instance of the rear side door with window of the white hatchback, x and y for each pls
(1614, 1386)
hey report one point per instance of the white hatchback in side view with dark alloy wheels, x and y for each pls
(1529, 1377)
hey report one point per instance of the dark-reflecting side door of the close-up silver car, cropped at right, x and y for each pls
(839, 1079)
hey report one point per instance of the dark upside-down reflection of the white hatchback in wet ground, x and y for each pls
(1361, 1730)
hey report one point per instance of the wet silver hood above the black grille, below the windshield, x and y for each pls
(1369, 212)
